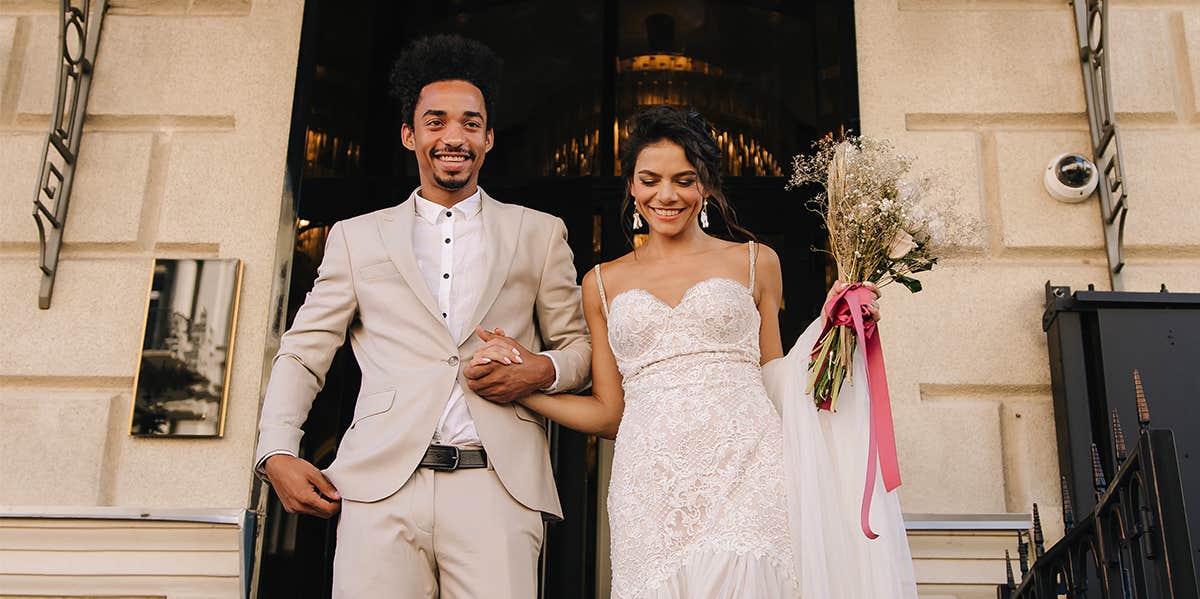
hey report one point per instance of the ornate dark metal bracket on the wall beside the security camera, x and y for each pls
(1093, 31)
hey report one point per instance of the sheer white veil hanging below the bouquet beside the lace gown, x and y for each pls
(826, 466)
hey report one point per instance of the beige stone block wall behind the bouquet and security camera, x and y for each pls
(988, 92)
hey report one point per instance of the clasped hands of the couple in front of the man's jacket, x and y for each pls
(503, 372)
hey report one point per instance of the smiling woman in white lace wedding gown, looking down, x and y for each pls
(727, 483)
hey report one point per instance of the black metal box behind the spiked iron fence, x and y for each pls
(1096, 340)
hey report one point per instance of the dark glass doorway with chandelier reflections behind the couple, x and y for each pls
(771, 76)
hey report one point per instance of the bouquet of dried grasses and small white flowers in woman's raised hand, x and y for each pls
(883, 230)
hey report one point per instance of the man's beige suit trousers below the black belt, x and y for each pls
(445, 535)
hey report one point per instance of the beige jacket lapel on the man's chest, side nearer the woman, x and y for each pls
(502, 230)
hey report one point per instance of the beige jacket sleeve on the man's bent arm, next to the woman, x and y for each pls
(560, 310)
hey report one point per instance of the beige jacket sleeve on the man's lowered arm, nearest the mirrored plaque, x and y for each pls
(307, 351)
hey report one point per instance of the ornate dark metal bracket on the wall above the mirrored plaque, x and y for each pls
(79, 43)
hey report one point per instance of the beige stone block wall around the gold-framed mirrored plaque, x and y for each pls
(183, 157)
